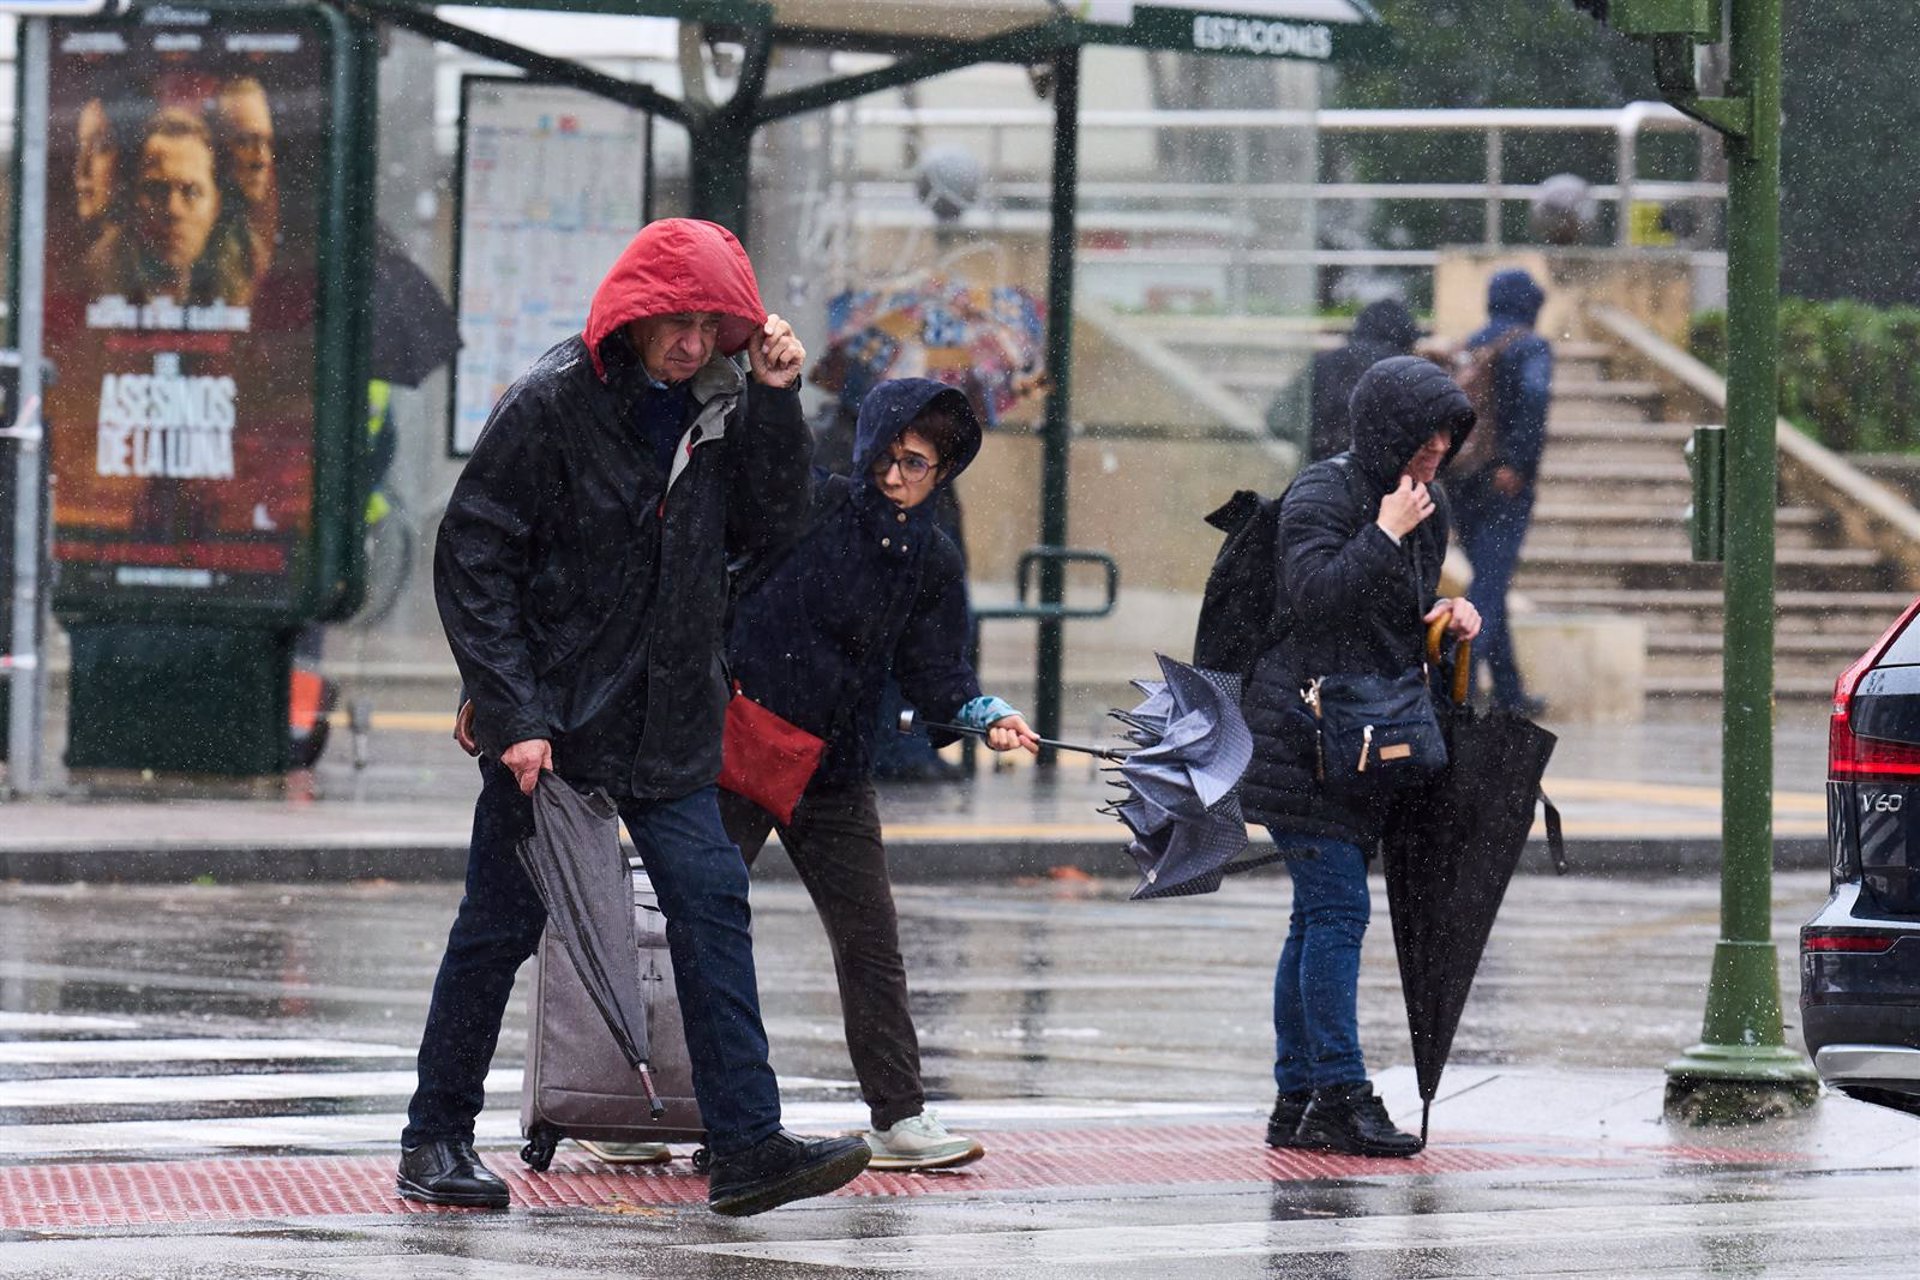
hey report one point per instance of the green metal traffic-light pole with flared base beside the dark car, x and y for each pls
(1742, 1068)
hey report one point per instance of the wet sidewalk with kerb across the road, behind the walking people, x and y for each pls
(1637, 799)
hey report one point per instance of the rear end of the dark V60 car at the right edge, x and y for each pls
(1861, 955)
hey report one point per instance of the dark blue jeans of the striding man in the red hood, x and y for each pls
(702, 882)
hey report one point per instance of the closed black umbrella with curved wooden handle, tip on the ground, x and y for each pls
(1451, 851)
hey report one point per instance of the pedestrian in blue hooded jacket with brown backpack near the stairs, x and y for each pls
(1495, 502)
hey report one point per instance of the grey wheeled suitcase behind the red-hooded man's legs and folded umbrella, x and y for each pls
(579, 1083)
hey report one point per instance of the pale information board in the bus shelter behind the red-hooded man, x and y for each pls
(552, 189)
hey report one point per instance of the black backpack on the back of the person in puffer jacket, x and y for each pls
(1243, 611)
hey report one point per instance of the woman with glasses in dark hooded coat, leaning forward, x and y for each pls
(873, 586)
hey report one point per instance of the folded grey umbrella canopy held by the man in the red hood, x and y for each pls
(583, 878)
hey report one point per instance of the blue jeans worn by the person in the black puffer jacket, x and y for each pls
(1316, 993)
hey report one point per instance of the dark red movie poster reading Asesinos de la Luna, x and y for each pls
(187, 164)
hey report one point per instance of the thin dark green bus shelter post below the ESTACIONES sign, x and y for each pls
(1055, 435)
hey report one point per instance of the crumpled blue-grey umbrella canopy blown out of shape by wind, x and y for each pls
(1180, 786)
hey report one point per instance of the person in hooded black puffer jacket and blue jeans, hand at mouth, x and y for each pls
(1362, 540)
